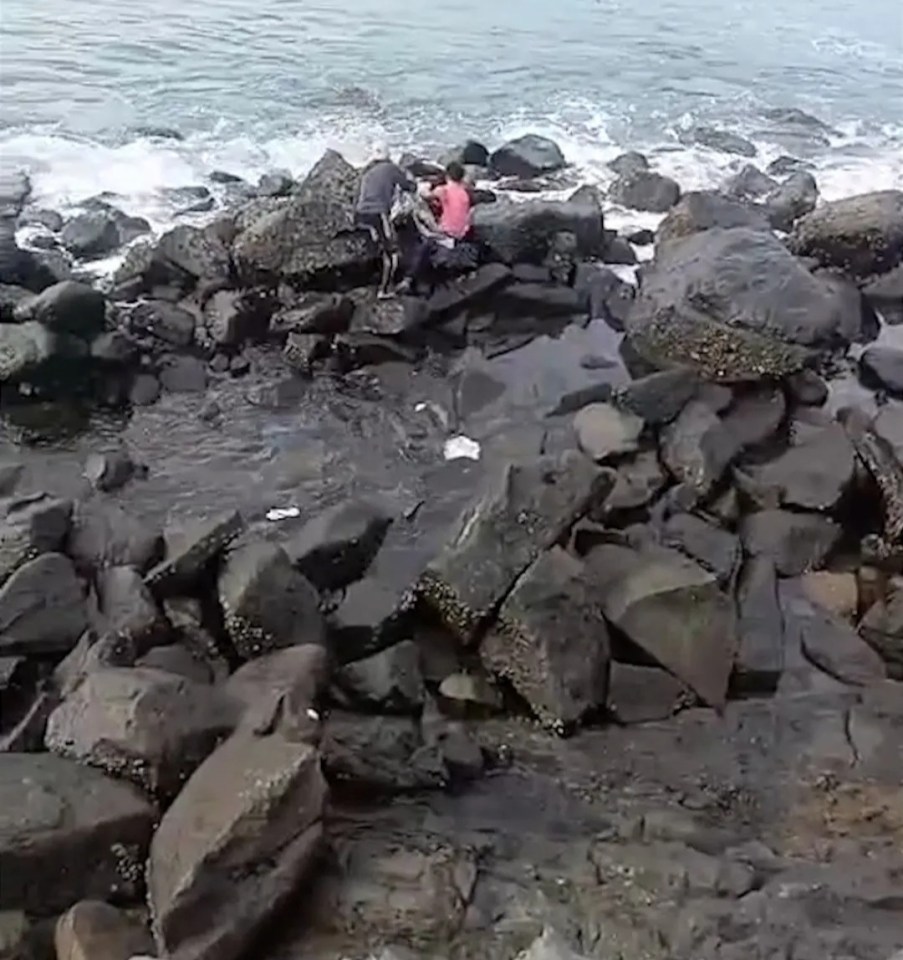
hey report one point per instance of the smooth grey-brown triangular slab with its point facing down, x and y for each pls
(672, 609)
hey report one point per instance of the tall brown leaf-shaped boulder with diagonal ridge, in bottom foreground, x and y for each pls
(234, 847)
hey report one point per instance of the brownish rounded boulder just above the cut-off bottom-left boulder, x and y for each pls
(141, 724)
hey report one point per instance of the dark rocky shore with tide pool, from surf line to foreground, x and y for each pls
(627, 685)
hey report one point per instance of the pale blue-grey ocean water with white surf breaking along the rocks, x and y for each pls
(256, 87)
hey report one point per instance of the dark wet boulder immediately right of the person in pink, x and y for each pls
(524, 232)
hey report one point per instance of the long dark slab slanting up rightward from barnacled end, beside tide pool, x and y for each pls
(526, 508)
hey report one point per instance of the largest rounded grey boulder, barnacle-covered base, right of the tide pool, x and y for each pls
(737, 304)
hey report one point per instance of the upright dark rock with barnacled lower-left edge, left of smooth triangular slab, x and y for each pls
(550, 641)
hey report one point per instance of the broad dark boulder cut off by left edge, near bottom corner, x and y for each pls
(68, 833)
